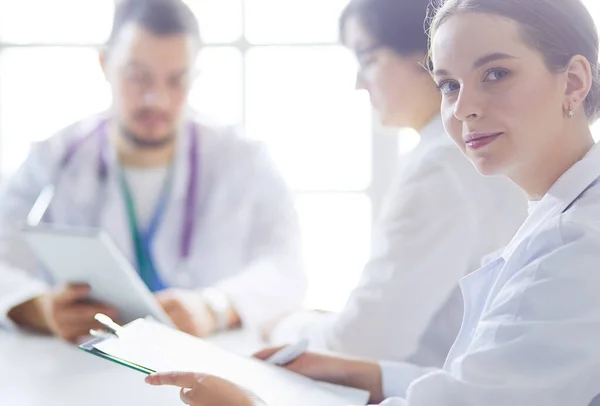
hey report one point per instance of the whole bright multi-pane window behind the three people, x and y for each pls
(274, 66)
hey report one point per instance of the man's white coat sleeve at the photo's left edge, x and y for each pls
(17, 265)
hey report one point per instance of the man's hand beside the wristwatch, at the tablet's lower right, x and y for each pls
(188, 311)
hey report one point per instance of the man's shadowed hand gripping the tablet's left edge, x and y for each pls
(65, 313)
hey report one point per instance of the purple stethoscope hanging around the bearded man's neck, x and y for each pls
(188, 228)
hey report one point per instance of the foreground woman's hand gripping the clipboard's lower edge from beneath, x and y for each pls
(205, 390)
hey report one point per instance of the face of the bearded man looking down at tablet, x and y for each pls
(150, 76)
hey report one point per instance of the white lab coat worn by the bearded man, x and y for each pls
(246, 241)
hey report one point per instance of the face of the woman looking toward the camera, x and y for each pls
(500, 103)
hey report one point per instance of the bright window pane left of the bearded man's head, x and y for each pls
(56, 85)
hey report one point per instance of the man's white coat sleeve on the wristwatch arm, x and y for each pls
(273, 282)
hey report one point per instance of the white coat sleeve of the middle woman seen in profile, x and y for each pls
(414, 268)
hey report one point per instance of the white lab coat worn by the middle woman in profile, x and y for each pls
(438, 221)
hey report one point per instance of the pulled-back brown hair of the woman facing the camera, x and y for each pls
(558, 29)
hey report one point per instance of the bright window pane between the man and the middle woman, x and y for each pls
(283, 110)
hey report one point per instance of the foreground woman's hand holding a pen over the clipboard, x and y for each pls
(342, 371)
